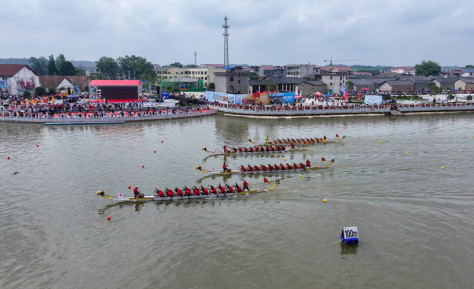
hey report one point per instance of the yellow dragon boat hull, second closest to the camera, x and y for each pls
(263, 169)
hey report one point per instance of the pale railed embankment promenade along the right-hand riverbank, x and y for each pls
(343, 110)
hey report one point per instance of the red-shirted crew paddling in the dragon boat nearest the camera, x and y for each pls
(196, 191)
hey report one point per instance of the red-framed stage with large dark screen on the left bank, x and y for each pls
(117, 90)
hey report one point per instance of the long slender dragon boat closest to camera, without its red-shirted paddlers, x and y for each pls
(193, 196)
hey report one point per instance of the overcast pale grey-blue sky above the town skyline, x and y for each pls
(279, 32)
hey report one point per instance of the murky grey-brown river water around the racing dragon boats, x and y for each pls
(415, 219)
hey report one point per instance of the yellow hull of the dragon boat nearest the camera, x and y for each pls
(155, 198)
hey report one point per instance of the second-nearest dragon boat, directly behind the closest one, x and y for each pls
(286, 169)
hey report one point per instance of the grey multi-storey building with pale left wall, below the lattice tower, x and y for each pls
(233, 80)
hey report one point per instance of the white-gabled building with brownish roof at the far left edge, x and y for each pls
(16, 79)
